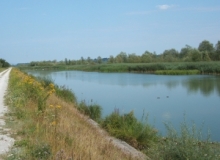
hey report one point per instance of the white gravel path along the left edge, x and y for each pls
(5, 140)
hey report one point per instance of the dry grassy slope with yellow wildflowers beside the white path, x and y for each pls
(59, 131)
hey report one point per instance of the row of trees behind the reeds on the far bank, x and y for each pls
(206, 51)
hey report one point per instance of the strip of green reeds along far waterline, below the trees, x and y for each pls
(158, 68)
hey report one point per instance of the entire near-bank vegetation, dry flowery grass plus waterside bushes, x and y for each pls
(49, 127)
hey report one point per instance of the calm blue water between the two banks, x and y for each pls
(163, 98)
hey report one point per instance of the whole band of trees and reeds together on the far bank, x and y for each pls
(205, 59)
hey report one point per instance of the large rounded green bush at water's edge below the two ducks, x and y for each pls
(126, 127)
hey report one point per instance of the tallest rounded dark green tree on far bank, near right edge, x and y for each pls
(206, 46)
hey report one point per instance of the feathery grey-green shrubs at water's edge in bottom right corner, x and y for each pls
(186, 144)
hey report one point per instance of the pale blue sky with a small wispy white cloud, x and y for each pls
(37, 30)
